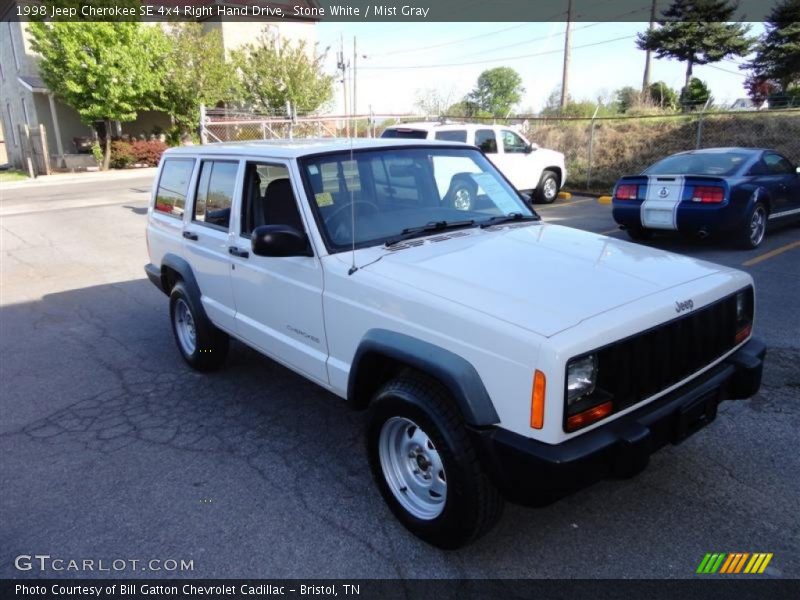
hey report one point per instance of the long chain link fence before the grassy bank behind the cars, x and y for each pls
(597, 150)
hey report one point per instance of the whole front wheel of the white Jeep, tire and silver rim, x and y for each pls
(425, 465)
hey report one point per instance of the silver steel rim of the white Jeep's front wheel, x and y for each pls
(412, 468)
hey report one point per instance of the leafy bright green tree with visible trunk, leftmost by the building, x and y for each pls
(105, 71)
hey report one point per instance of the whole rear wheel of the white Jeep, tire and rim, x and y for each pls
(203, 346)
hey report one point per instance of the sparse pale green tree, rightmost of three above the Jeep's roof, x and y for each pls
(274, 71)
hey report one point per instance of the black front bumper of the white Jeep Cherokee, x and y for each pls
(532, 472)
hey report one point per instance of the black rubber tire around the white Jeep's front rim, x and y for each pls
(472, 504)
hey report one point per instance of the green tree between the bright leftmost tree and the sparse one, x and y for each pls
(195, 73)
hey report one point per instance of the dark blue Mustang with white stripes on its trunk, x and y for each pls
(729, 192)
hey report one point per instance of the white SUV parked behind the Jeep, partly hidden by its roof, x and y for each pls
(538, 172)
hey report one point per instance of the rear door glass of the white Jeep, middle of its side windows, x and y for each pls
(212, 204)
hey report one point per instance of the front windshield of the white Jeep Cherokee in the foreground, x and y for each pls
(385, 192)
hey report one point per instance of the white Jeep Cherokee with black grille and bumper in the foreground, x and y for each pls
(498, 356)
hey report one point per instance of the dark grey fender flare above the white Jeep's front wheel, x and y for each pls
(453, 371)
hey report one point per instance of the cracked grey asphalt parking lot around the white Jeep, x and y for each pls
(113, 449)
